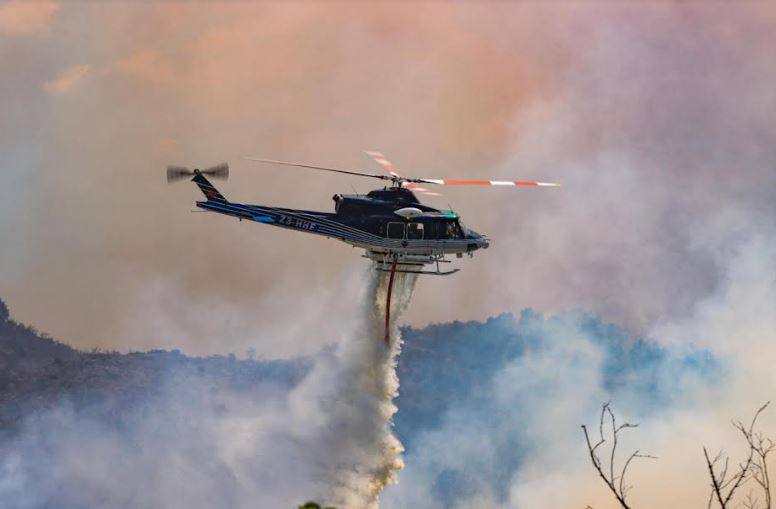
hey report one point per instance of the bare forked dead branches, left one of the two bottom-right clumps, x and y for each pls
(616, 483)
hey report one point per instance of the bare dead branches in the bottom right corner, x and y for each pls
(724, 484)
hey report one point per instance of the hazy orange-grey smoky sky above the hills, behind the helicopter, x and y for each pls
(656, 117)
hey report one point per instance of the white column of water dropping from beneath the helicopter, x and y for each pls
(355, 394)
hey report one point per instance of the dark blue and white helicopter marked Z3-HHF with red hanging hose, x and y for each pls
(396, 231)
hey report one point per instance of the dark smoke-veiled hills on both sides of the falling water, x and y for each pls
(441, 366)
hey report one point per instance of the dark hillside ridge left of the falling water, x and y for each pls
(38, 372)
